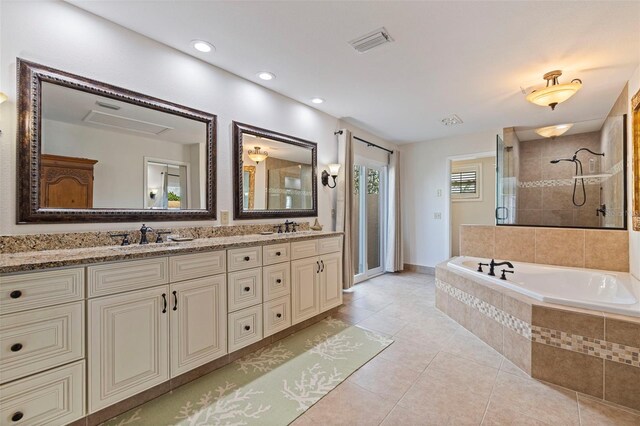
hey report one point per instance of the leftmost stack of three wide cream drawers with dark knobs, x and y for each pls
(42, 347)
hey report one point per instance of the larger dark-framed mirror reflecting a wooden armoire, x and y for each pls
(89, 151)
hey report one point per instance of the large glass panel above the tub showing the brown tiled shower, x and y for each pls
(569, 174)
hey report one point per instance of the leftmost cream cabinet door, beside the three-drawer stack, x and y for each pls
(128, 345)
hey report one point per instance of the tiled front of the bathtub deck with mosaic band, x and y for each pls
(587, 351)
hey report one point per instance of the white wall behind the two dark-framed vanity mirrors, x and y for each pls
(64, 37)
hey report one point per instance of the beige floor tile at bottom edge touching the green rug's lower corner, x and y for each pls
(347, 404)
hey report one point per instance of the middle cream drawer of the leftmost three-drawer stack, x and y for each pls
(43, 338)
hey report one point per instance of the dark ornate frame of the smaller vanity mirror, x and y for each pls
(238, 209)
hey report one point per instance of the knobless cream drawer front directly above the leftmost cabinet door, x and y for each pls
(124, 276)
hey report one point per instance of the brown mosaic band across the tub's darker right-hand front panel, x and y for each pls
(587, 345)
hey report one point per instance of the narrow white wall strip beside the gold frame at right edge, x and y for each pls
(634, 236)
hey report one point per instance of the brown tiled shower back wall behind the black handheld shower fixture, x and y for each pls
(545, 190)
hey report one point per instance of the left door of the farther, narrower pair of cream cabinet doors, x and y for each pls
(305, 295)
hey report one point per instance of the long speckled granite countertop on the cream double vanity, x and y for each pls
(36, 260)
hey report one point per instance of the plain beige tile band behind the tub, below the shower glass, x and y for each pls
(583, 248)
